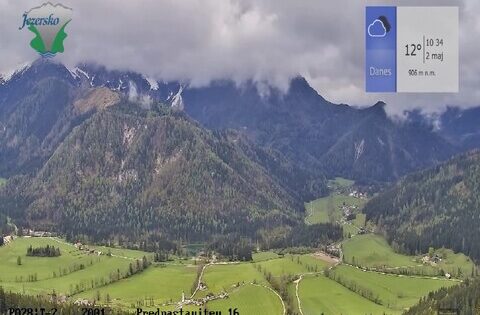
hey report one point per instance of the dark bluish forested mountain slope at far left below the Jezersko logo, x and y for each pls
(39, 107)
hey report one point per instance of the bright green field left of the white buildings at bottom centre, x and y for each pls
(161, 283)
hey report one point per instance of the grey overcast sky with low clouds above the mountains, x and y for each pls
(264, 40)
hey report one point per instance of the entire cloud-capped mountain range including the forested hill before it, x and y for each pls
(97, 152)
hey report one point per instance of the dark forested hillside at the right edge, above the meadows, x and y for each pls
(437, 207)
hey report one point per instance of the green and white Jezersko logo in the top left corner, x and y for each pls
(48, 23)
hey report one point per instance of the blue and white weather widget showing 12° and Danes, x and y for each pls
(411, 49)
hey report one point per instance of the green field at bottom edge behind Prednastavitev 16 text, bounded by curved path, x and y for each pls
(249, 299)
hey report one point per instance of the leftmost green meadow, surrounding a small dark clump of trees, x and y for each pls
(55, 273)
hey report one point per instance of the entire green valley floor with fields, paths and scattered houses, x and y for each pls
(368, 278)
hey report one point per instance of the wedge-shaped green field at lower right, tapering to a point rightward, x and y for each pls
(394, 292)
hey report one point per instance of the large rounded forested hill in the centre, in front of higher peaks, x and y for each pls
(128, 172)
